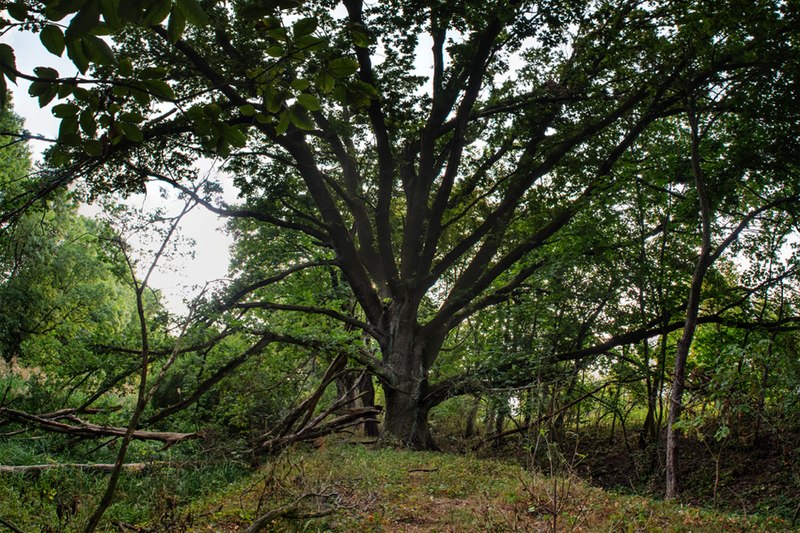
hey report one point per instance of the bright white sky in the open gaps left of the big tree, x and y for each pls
(176, 280)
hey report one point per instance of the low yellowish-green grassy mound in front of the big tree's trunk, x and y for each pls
(348, 487)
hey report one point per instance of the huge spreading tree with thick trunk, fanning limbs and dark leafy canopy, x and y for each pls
(443, 160)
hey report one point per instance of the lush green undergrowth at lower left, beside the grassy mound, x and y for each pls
(63, 498)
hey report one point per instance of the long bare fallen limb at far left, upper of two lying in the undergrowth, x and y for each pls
(86, 430)
